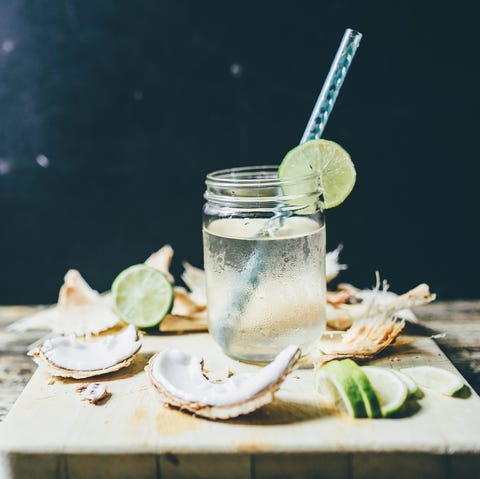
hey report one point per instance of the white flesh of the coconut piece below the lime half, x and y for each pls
(67, 352)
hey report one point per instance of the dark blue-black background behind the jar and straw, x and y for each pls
(111, 114)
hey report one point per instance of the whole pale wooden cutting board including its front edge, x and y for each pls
(50, 433)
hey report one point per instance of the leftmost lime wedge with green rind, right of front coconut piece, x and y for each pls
(334, 381)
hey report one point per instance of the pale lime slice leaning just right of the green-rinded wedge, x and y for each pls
(390, 390)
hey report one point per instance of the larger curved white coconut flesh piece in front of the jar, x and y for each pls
(181, 375)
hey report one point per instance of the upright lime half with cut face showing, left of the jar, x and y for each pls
(142, 296)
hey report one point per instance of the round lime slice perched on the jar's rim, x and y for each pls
(329, 160)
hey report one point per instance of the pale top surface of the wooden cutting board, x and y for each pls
(134, 421)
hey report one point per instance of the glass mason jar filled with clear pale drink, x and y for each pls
(264, 255)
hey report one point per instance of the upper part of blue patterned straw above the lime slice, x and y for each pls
(334, 81)
